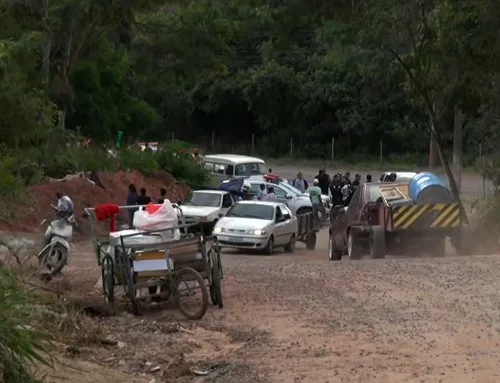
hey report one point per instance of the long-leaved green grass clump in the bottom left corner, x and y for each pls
(20, 345)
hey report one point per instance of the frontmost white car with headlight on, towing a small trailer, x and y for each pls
(257, 225)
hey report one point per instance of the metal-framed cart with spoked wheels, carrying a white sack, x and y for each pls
(171, 269)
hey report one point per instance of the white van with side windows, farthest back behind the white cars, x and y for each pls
(227, 166)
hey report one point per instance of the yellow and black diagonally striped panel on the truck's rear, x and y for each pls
(429, 216)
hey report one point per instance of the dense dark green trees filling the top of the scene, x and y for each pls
(357, 71)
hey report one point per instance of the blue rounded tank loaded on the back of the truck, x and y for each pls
(428, 188)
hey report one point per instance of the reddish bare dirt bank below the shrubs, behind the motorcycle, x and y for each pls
(86, 194)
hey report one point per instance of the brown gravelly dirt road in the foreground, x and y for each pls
(301, 318)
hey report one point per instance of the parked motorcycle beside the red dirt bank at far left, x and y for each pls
(54, 254)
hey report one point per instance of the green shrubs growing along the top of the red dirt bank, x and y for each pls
(59, 158)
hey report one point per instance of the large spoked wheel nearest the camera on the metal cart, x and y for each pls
(188, 282)
